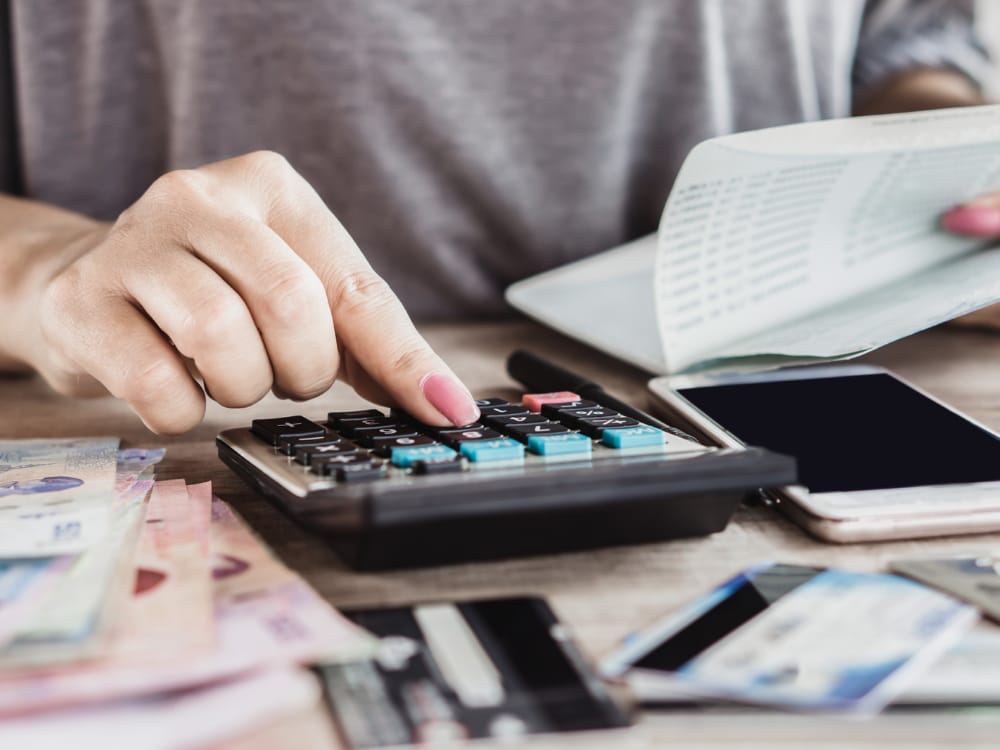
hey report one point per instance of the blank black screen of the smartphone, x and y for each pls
(856, 432)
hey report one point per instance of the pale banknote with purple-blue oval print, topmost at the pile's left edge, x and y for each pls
(55, 495)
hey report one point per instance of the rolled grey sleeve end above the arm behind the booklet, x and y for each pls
(897, 35)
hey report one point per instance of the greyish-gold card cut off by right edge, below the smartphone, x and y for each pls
(972, 579)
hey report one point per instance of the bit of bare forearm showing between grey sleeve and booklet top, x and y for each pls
(918, 89)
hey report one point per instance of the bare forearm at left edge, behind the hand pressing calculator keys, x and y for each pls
(36, 241)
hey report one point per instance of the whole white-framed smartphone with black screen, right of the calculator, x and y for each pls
(878, 458)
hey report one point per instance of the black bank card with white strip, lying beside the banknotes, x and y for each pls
(446, 672)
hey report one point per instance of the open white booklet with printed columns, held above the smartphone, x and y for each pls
(799, 243)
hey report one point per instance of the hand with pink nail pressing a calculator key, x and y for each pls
(238, 268)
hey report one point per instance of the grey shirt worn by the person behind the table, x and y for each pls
(464, 143)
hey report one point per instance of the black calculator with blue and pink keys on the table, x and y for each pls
(551, 472)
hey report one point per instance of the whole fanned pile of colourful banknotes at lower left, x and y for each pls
(129, 605)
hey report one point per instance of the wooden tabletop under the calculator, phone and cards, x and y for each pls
(601, 594)
